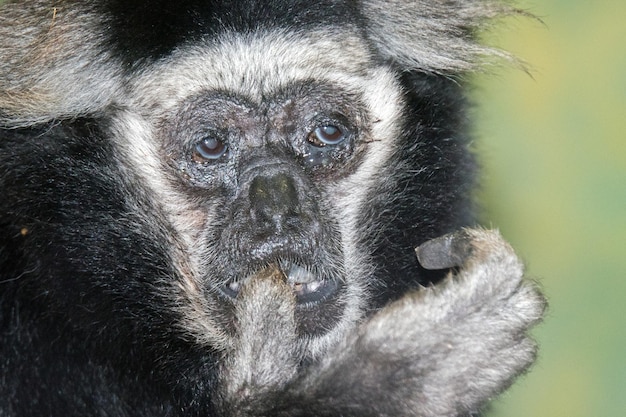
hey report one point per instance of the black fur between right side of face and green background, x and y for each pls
(429, 202)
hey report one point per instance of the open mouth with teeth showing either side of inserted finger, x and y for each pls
(307, 287)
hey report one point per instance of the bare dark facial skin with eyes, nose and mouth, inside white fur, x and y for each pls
(261, 176)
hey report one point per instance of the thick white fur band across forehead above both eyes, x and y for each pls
(252, 65)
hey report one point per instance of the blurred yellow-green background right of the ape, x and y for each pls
(553, 147)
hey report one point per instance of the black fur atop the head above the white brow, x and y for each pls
(143, 30)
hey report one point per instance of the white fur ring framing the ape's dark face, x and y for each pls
(256, 66)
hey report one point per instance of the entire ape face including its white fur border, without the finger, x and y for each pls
(263, 164)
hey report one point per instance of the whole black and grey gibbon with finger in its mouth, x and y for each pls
(212, 208)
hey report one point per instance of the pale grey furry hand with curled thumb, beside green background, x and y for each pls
(441, 351)
